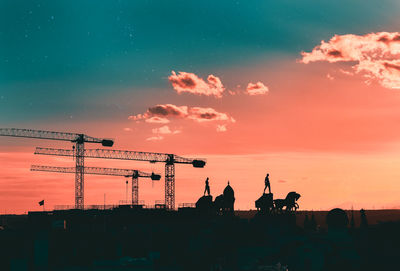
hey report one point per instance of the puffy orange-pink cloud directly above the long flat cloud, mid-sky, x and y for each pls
(191, 83)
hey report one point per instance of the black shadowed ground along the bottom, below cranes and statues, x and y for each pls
(134, 239)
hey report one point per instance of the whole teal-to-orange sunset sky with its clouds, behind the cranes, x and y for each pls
(307, 91)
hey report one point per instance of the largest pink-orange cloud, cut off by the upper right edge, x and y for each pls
(376, 55)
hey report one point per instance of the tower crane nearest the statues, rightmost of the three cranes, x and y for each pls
(169, 159)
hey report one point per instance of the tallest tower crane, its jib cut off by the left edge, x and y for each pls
(79, 149)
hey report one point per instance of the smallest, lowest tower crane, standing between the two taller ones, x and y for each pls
(132, 173)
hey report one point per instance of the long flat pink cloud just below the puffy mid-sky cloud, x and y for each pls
(168, 111)
